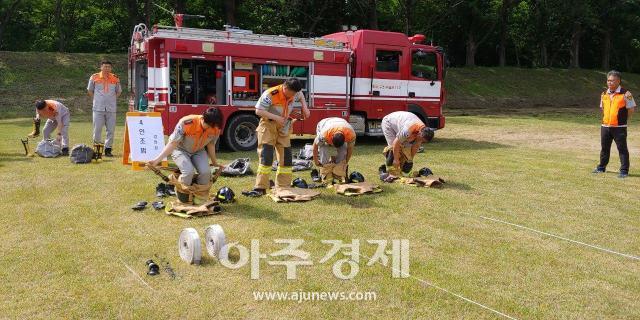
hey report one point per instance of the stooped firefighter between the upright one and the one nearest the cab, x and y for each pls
(333, 133)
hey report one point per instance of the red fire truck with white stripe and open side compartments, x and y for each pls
(358, 75)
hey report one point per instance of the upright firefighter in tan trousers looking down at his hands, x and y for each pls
(276, 113)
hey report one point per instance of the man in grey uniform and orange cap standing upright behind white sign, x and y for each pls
(104, 88)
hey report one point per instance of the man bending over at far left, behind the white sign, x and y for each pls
(57, 116)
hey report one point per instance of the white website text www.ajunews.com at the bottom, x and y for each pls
(302, 296)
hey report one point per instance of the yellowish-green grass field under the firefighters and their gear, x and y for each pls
(68, 237)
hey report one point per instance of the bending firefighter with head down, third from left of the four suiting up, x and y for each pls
(333, 133)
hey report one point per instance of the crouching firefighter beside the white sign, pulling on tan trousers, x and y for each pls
(191, 145)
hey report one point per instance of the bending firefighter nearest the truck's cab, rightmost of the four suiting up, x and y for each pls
(405, 133)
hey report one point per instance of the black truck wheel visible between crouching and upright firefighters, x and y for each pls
(240, 133)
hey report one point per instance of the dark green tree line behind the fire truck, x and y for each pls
(597, 34)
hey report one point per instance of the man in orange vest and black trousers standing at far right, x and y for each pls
(617, 106)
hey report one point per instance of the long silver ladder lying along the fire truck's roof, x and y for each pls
(245, 37)
